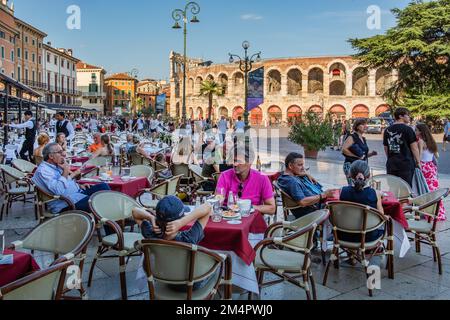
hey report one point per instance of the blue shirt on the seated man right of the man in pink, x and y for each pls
(299, 188)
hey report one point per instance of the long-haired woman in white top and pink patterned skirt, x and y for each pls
(428, 154)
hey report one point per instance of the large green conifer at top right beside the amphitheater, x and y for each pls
(419, 48)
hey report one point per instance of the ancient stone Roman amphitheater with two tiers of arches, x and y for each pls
(293, 86)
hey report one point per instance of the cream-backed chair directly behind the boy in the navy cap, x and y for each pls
(168, 264)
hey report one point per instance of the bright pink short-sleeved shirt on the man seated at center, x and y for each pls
(256, 188)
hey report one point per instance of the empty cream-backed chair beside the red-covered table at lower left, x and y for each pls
(66, 235)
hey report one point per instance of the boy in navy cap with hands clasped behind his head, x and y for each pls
(170, 218)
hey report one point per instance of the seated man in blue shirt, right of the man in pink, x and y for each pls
(301, 187)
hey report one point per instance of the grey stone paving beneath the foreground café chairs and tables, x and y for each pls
(416, 275)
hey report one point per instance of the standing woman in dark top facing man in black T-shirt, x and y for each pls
(356, 148)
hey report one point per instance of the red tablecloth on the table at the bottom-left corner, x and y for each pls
(23, 264)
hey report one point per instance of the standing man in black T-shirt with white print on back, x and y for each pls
(401, 147)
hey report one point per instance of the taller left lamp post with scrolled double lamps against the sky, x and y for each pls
(177, 15)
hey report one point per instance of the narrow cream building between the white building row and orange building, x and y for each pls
(90, 81)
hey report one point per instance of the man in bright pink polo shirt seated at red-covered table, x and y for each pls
(246, 183)
